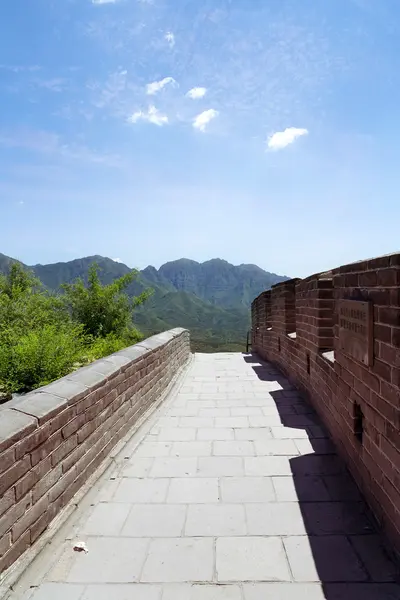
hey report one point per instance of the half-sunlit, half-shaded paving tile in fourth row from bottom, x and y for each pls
(300, 489)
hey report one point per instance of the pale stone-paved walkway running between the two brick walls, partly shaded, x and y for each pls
(234, 493)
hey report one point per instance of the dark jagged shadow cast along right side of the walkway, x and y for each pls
(342, 548)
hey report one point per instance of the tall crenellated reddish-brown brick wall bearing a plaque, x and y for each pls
(335, 383)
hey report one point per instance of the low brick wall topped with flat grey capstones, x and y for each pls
(53, 439)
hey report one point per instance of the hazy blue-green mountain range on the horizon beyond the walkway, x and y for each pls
(212, 298)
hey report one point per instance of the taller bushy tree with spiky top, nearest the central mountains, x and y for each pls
(103, 310)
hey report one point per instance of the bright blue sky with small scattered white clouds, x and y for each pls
(259, 131)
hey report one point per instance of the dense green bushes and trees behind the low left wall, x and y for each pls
(44, 336)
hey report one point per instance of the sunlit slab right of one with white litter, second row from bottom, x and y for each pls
(179, 559)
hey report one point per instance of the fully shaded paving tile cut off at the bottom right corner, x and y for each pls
(362, 591)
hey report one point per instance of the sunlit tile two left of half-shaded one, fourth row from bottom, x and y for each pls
(193, 490)
